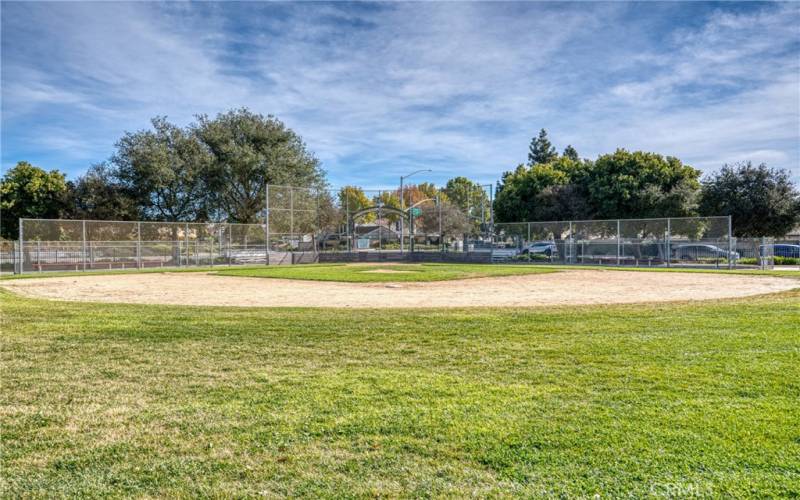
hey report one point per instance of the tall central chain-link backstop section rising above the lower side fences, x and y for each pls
(351, 219)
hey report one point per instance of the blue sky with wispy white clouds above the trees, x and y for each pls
(377, 90)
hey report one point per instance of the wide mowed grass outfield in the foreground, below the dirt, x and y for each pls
(666, 400)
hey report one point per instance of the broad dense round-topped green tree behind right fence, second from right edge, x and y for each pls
(637, 184)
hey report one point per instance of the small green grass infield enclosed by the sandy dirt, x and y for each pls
(368, 273)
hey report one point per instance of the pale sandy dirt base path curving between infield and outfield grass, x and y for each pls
(561, 288)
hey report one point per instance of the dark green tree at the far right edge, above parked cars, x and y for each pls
(762, 201)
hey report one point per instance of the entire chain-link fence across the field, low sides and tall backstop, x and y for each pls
(300, 223)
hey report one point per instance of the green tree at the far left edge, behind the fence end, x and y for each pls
(28, 191)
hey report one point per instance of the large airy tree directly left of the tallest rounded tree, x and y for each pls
(166, 170)
